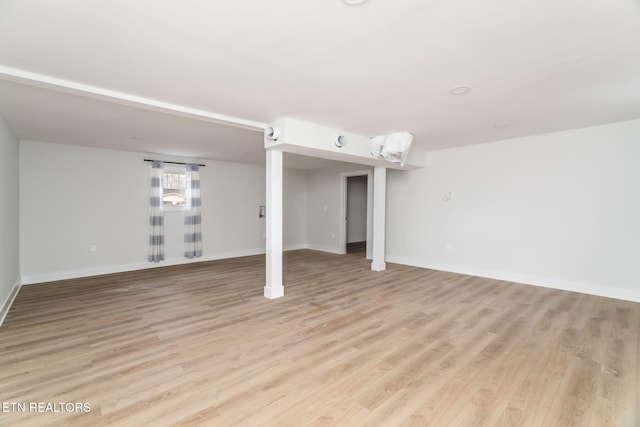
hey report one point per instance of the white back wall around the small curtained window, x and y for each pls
(74, 197)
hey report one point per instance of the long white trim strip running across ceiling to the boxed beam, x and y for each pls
(93, 92)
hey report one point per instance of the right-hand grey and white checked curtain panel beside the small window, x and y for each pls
(193, 218)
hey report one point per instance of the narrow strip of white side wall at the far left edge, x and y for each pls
(9, 219)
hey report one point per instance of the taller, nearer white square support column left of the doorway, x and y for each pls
(274, 288)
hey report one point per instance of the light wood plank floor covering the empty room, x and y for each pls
(200, 345)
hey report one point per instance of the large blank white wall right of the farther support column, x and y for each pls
(559, 210)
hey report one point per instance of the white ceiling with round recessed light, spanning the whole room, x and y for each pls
(533, 67)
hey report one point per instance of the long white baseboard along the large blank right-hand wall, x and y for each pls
(542, 281)
